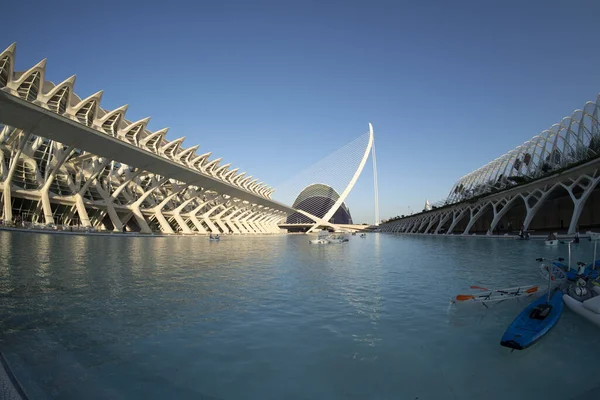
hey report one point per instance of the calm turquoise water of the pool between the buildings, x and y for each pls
(277, 318)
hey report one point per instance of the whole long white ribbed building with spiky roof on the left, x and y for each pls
(64, 159)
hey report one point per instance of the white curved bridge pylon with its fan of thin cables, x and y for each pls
(340, 171)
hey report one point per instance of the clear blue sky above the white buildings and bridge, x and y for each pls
(275, 86)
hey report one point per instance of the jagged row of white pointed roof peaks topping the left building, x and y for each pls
(31, 85)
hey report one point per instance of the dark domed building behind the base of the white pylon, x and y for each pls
(317, 199)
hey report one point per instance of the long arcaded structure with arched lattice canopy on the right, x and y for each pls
(567, 156)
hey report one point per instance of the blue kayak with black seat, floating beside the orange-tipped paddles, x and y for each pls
(534, 321)
